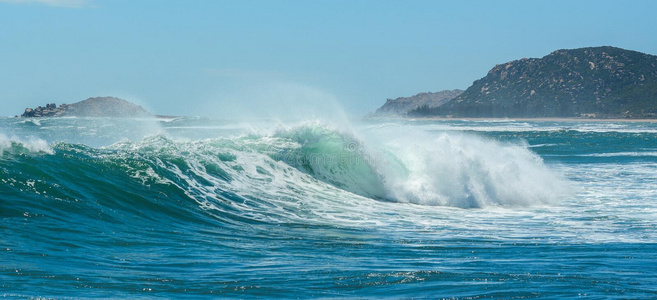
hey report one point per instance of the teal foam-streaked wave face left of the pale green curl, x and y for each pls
(220, 182)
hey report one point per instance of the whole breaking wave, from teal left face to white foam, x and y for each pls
(295, 171)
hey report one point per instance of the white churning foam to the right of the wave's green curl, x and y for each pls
(465, 170)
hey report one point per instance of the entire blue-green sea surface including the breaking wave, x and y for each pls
(209, 208)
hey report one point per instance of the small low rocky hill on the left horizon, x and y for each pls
(92, 107)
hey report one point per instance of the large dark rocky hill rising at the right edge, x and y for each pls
(602, 82)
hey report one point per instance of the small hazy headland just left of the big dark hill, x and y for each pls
(403, 105)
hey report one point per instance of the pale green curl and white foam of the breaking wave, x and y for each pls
(447, 169)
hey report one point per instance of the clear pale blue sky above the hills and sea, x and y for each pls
(216, 58)
